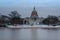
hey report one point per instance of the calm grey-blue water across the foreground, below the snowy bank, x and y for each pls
(29, 34)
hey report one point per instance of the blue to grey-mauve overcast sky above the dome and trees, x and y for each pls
(25, 7)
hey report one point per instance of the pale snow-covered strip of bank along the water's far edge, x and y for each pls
(35, 26)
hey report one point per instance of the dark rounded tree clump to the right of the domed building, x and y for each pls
(50, 20)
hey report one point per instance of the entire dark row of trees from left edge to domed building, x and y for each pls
(13, 19)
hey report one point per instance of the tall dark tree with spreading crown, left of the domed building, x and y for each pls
(15, 18)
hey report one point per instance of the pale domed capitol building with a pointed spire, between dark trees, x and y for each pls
(34, 18)
